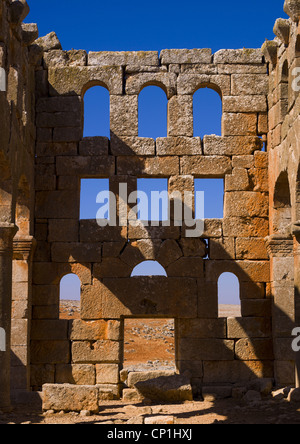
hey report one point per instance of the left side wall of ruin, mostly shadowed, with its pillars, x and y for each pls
(17, 147)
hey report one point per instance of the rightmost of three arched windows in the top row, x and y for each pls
(207, 113)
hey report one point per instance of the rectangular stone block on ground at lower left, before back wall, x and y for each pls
(69, 397)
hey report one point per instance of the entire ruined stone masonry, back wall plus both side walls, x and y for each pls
(44, 156)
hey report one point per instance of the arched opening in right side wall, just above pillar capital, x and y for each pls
(282, 208)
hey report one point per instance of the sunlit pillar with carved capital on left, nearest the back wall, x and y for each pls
(23, 247)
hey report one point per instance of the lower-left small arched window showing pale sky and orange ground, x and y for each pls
(69, 295)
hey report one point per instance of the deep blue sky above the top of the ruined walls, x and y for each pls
(156, 25)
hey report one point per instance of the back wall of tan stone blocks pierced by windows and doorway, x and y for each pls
(90, 350)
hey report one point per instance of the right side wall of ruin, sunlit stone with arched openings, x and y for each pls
(284, 158)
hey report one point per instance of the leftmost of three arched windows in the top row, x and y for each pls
(97, 112)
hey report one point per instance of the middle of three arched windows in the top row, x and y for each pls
(153, 112)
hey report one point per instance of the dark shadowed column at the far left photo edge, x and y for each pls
(7, 232)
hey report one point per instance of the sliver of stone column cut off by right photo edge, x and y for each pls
(296, 233)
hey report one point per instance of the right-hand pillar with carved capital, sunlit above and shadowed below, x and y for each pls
(280, 249)
